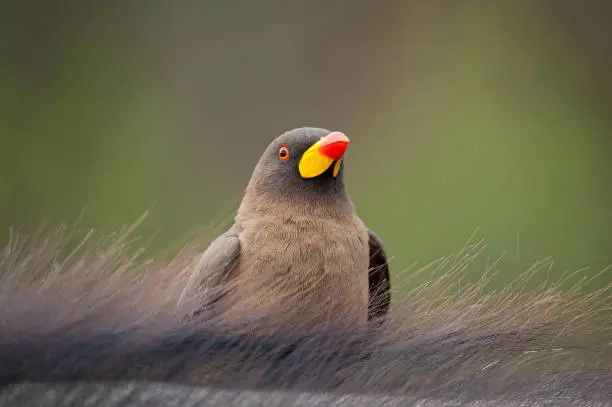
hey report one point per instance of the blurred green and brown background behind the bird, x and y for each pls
(494, 115)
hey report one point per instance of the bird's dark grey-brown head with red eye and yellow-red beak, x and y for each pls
(302, 164)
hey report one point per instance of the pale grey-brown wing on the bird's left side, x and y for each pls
(215, 265)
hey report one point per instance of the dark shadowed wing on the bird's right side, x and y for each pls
(379, 279)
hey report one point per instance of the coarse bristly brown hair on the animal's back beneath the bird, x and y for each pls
(100, 313)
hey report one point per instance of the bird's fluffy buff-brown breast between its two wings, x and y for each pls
(320, 265)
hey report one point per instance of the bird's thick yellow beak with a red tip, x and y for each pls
(320, 156)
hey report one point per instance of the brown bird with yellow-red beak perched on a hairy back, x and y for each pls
(297, 243)
